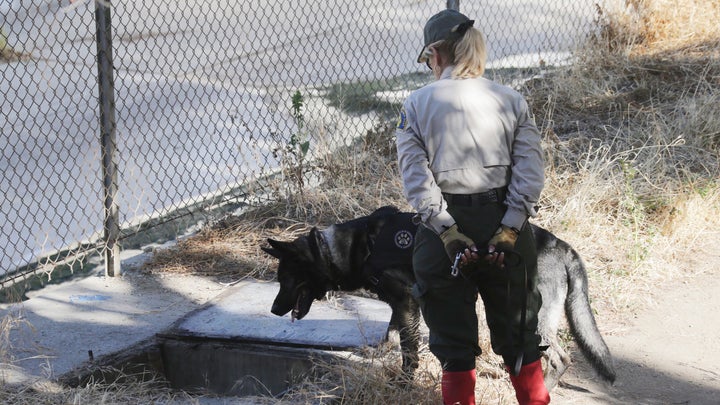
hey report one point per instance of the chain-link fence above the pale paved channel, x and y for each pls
(201, 101)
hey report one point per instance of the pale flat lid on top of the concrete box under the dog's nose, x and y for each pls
(242, 313)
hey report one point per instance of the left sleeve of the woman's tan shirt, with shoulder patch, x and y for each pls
(419, 186)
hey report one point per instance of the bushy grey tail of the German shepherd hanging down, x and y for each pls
(582, 322)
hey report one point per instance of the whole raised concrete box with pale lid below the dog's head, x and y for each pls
(235, 346)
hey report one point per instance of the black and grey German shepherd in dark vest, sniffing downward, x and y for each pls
(375, 253)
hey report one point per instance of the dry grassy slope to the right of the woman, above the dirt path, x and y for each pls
(632, 144)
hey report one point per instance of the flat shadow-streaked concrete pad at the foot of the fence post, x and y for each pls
(54, 331)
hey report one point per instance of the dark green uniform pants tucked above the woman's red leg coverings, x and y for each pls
(448, 303)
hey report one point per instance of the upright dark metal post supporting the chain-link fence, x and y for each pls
(108, 145)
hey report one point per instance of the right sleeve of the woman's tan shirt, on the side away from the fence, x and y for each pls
(528, 176)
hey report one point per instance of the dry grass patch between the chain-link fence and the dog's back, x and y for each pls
(353, 182)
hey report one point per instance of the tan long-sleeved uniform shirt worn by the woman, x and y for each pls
(465, 136)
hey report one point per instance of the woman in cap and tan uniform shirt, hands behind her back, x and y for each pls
(472, 168)
